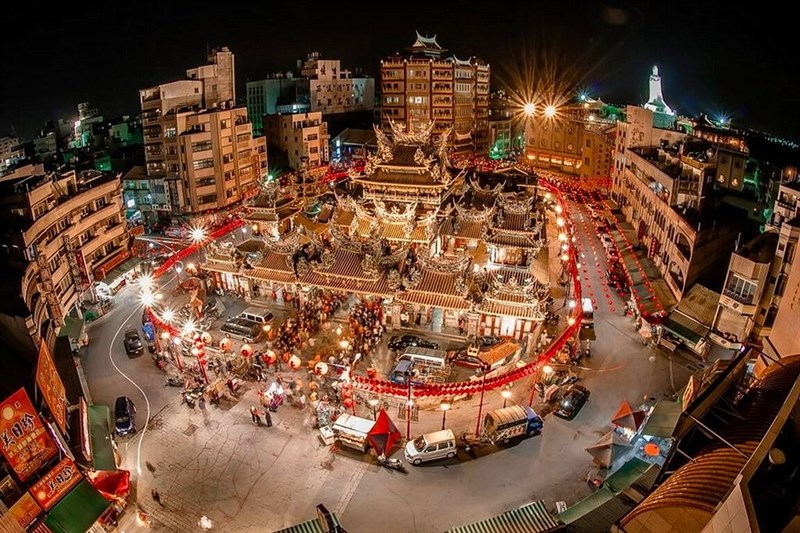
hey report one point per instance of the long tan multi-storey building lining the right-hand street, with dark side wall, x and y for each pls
(664, 188)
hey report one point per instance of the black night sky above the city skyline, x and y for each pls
(712, 57)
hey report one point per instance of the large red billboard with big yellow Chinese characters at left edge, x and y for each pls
(24, 441)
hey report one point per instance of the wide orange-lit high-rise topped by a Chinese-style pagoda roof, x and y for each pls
(426, 85)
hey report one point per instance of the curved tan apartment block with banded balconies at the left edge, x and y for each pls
(61, 231)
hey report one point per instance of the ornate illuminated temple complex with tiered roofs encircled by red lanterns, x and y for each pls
(441, 248)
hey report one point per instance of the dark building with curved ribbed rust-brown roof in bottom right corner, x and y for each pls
(731, 466)
